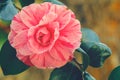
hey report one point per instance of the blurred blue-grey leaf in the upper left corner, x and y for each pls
(7, 11)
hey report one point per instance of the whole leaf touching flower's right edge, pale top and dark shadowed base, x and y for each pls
(89, 38)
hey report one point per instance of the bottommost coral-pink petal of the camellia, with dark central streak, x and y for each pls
(45, 61)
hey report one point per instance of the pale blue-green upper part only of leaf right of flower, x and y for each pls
(89, 35)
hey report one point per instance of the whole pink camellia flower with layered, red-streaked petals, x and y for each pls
(45, 35)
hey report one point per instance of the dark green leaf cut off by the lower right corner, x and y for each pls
(115, 74)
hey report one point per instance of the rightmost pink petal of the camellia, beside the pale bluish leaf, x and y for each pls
(72, 33)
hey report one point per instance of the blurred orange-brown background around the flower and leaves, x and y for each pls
(102, 16)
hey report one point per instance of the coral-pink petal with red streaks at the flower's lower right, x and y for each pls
(62, 51)
